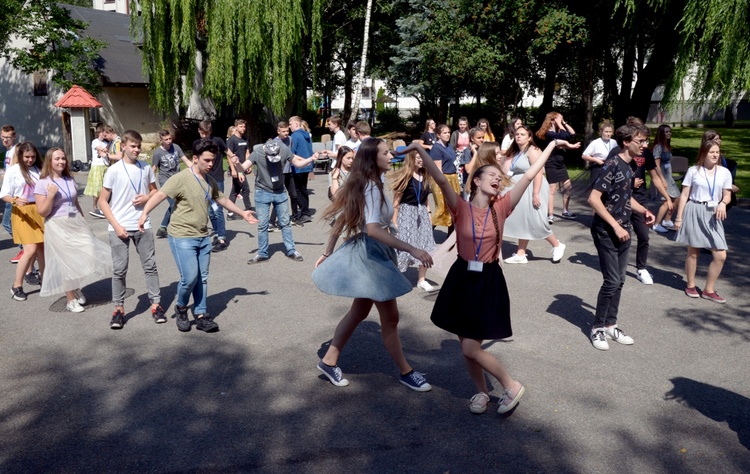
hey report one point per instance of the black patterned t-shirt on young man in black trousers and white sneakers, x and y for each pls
(615, 183)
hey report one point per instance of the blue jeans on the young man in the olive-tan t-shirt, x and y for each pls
(192, 256)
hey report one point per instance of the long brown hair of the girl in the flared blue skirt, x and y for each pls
(348, 208)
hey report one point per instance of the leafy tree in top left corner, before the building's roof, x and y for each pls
(55, 42)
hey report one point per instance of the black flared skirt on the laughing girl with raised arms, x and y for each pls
(472, 304)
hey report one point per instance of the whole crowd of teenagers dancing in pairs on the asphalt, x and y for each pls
(482, 191)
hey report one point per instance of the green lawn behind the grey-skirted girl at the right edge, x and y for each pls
(735, 144)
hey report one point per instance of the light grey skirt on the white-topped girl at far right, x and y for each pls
(700, 228)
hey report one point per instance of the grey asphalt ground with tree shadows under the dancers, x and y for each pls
(78, 397)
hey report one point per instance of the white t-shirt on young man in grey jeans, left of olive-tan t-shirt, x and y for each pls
(125, 181)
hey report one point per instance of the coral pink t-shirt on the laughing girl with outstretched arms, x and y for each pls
(462, 217)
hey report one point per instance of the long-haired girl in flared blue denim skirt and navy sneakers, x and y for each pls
(364, 267)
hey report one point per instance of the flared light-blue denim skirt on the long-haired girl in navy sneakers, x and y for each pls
(362, 268)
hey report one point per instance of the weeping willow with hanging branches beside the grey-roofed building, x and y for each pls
(247, 52)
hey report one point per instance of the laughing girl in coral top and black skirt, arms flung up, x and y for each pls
(473, 302)
